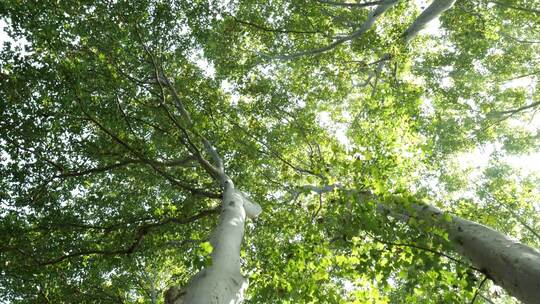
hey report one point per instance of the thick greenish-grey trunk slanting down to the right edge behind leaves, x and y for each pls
(510, 264)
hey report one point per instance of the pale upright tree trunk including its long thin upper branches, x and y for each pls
(221, 282)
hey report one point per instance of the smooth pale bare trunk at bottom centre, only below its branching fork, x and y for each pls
(222, 282)
